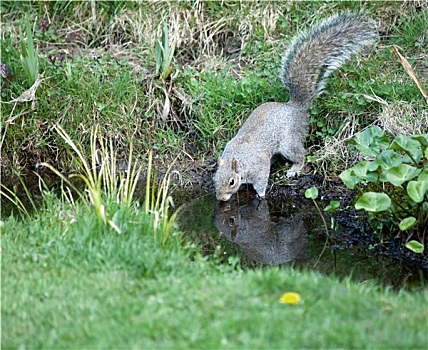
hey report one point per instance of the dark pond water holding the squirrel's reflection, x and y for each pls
(262, 233)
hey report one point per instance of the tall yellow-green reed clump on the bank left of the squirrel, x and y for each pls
(109, 192)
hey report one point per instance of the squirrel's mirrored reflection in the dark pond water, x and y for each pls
(263, 239)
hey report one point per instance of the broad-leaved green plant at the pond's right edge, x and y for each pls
(393, 183)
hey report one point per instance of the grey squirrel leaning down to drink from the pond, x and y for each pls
(280, 128)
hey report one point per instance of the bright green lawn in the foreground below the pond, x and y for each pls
(66, 286)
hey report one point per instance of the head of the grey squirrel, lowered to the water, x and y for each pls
(227, 178)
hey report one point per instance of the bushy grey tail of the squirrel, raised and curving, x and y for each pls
(317, 52)
